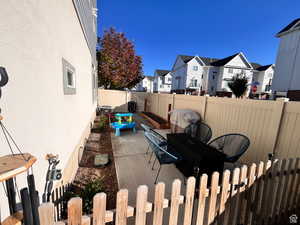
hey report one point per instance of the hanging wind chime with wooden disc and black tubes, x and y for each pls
(12, 165)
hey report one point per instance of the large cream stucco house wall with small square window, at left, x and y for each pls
(48, 49)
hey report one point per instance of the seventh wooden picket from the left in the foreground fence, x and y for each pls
(175, 201)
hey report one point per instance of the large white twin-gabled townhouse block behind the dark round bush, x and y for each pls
(208, 75)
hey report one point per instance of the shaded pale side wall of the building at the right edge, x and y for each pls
(287, 70)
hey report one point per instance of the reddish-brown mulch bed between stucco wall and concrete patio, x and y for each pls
(99, 143)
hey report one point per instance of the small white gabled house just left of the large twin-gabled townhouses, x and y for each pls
(162, 81)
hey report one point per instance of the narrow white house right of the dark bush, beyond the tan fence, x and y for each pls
(263, 78)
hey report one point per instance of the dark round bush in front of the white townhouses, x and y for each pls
(238, 85)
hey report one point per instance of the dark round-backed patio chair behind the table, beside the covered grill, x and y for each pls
(199, 131)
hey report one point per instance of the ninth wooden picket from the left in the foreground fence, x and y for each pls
(201, 200)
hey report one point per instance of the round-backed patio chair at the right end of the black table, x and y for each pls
(233, 145)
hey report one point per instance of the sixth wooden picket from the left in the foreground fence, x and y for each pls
(159, 204)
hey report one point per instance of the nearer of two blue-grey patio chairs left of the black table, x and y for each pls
(164, 153)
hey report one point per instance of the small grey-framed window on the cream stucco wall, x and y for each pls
(69, 78)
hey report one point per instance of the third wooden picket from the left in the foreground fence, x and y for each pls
(99, 209)
